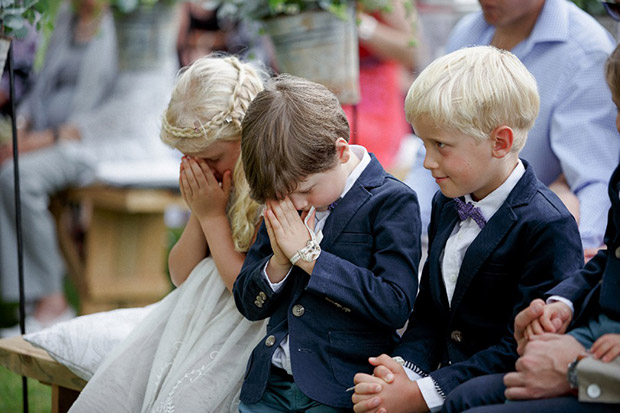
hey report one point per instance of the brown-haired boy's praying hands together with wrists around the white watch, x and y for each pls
(287, 234)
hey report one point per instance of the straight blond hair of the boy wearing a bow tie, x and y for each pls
(474, 90)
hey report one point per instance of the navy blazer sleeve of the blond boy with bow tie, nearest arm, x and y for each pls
(553, 251)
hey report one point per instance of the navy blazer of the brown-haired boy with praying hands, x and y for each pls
(361, 290)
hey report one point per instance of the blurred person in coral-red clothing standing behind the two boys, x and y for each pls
(390, 52)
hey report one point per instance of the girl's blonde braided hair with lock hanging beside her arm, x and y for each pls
(208, 104)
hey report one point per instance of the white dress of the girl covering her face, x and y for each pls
(188, 355)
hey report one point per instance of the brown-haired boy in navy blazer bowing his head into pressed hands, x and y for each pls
(335, 282)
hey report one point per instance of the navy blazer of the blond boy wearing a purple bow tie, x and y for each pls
(529, 245)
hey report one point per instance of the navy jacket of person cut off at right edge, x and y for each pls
(596, 288)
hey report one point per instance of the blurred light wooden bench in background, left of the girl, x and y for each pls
(123, 261)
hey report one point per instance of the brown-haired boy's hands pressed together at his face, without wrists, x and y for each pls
(287, 227)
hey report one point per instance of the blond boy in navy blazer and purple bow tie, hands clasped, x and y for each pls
(498, 238)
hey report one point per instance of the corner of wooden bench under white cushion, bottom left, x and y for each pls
(26, 360)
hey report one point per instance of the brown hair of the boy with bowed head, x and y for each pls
(290, 132)
